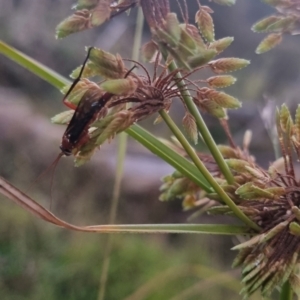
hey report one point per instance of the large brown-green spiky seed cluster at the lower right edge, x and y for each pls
(271, 198)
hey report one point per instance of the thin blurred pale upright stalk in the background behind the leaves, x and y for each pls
(122, 146)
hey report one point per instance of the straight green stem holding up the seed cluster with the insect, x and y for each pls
(192, 154)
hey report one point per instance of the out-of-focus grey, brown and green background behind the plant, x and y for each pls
(40, 261)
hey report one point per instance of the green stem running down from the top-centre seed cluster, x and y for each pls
(202, 126)
